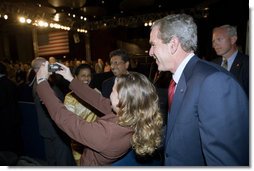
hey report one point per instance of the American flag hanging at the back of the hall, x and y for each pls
(53, 43)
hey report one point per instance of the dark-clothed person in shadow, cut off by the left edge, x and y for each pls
(10, 122)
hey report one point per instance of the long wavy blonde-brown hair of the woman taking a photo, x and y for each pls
(139, 109)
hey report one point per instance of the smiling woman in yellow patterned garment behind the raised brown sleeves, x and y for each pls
(76, 105)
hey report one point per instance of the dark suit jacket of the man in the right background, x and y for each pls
(240, 69)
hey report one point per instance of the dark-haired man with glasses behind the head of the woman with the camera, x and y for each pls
(119, 63)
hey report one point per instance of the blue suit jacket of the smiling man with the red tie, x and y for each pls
(208, 123)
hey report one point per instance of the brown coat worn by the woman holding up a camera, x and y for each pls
(106, 141)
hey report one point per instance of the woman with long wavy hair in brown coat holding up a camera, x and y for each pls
(136, 123)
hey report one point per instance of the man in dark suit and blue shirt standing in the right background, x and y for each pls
(224, 43)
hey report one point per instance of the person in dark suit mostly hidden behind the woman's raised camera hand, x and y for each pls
(57, 143)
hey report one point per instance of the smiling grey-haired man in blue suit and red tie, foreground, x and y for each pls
(208, 121)
